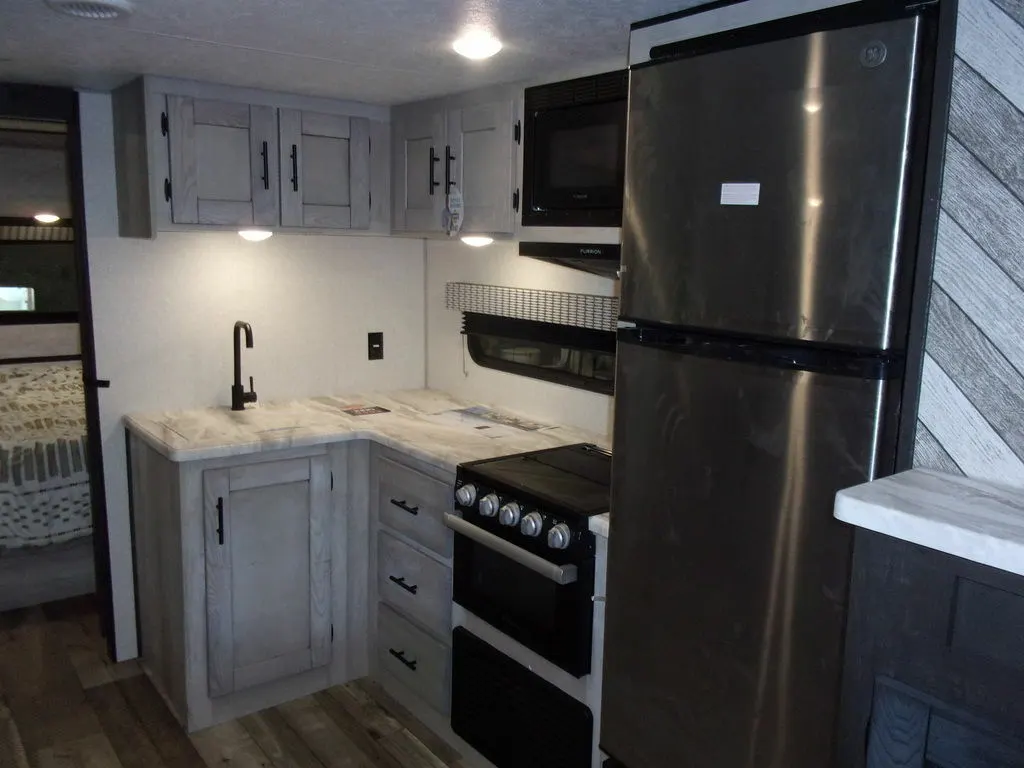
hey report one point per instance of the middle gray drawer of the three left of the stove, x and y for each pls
(415, 584)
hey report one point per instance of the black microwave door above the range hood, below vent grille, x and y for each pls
(580, 160)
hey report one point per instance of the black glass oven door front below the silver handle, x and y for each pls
(554, 621)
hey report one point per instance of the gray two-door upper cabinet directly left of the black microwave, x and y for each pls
(466, 143)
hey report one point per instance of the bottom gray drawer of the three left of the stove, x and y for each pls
(412, 657)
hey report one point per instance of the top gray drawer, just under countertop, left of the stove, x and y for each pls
(414, 505)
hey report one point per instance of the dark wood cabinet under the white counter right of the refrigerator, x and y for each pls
(936, 641)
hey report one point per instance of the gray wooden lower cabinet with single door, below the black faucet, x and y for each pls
(242, 578)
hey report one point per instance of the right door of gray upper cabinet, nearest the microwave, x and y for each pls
(483, 164)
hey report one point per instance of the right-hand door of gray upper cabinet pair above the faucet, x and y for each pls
(326, 179)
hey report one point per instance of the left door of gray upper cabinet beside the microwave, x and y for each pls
(417, 162)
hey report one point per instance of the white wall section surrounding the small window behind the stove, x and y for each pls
(449, 365)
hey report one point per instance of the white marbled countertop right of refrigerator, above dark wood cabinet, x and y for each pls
(974, 520)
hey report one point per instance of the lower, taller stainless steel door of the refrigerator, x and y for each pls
(728, 573)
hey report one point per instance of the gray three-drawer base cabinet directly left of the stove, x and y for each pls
(412, 582)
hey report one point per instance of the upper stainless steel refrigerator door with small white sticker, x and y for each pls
(764, 187)
